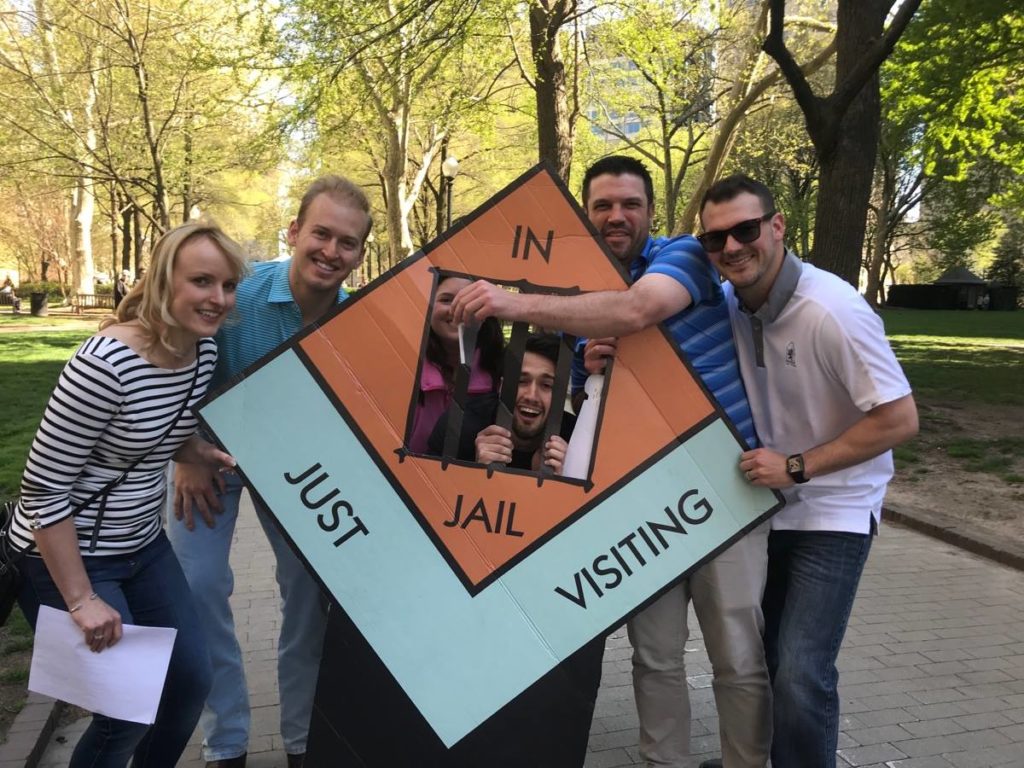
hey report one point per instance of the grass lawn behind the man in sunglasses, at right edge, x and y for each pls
(961, 356)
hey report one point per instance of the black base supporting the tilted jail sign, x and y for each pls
(363, 719)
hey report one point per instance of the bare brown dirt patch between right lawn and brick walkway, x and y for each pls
(942, 470)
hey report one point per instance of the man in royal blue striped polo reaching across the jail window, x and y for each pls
(674, 284)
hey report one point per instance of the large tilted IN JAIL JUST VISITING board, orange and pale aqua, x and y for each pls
(471, 583)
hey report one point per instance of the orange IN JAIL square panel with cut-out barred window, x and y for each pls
(373, 376)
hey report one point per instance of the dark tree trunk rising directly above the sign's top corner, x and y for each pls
(554, 126)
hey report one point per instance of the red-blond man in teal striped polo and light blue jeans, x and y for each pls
(275, 303)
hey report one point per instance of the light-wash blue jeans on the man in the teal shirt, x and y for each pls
(204, 556)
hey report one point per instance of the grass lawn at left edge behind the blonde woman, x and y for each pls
(30, 364)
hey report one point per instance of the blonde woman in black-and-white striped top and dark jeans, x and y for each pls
(90, 519)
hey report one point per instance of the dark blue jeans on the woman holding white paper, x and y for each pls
(148, 588)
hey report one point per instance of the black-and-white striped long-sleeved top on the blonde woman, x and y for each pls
(110, 408)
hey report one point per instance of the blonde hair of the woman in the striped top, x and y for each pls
(150, 300)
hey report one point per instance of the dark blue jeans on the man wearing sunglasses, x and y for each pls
(813, 582)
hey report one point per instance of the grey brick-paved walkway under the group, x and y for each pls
(932, 667)
